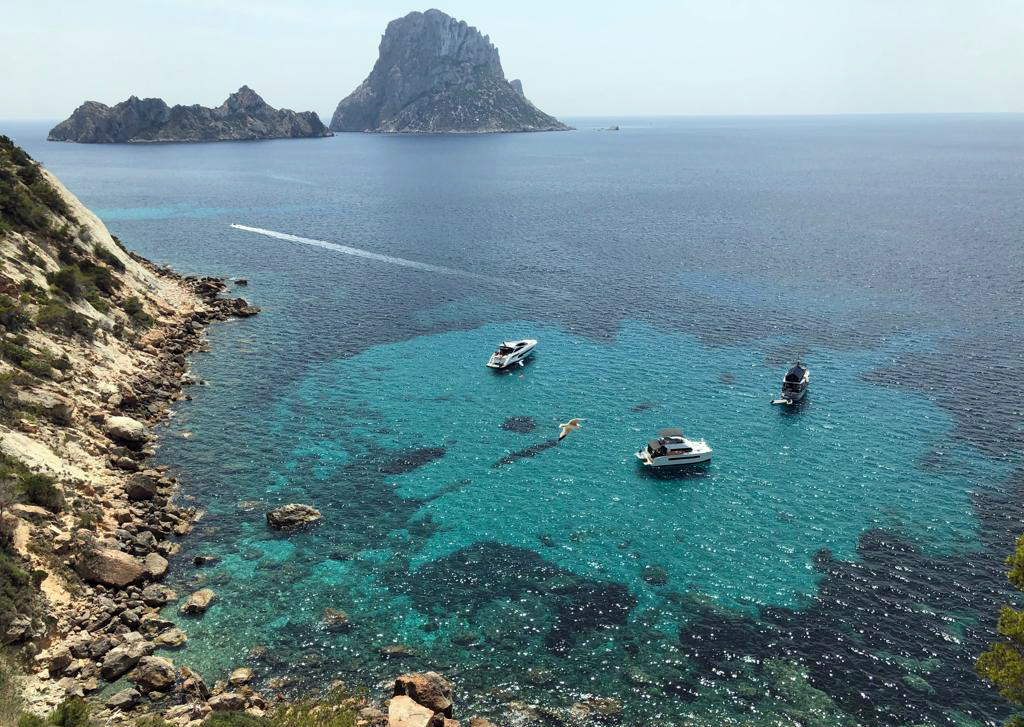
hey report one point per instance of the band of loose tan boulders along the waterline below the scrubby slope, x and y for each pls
(109, 627)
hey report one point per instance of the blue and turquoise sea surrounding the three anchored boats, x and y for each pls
(838, 564)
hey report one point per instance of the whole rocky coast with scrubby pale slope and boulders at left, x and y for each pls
(95, 348)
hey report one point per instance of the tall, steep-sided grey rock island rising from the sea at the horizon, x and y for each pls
(436, 75)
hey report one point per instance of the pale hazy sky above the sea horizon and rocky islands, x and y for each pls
(576, 58)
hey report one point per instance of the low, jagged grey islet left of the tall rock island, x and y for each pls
(245, 116)
